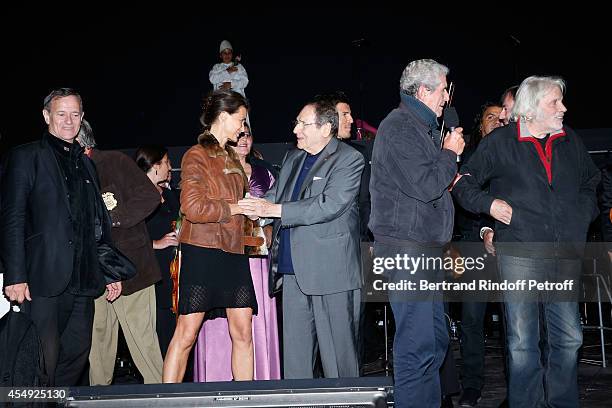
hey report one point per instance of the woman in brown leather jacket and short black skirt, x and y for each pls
(215, 280)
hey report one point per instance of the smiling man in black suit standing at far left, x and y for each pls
(51, 218)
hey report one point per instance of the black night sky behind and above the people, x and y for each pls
(142, 71)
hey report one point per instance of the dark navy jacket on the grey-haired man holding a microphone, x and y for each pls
(410, 179)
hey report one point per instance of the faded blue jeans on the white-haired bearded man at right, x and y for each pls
(537, 377)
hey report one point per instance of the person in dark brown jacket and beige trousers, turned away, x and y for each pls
(130, 198)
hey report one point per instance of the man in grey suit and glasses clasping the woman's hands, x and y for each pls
(315, 197)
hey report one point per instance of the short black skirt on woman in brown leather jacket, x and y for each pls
(212, 280)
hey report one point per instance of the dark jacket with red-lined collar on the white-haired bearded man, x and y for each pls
(551, 191)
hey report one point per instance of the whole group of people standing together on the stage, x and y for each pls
(242, 232)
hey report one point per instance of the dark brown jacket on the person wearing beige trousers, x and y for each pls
(136, 198)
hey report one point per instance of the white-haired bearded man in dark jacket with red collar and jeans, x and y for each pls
(543, 208)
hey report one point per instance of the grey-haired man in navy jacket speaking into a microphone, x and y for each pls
(412, 217)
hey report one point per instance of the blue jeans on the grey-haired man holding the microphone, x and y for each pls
(421, 336)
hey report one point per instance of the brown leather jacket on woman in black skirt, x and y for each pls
(211, 179)
